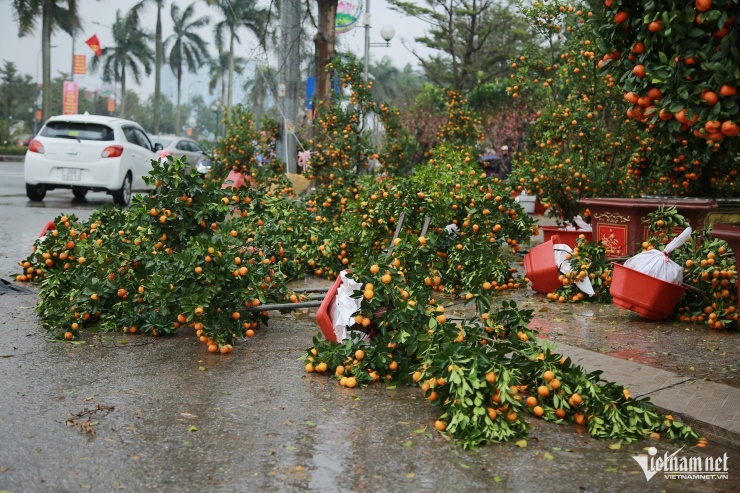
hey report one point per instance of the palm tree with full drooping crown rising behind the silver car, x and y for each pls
(187, 47)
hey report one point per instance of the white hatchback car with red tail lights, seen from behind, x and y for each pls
(89, 152)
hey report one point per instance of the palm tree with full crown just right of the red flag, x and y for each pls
(130, 51)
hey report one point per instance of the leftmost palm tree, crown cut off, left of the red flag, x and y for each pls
(53, 16)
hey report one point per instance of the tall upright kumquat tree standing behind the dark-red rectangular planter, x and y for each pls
(578, 145)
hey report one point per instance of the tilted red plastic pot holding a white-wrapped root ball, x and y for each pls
(645, 295)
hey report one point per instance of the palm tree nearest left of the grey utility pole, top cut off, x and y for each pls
(238, 13)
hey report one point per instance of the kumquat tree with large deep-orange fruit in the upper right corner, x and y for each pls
(678, 64)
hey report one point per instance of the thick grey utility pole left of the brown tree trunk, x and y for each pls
(290, 79)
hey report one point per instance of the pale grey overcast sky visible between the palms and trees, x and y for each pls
(25, 51)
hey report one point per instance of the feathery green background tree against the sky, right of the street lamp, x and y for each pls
(475, 39)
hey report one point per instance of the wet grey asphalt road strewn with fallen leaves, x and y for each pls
(169, 416)
